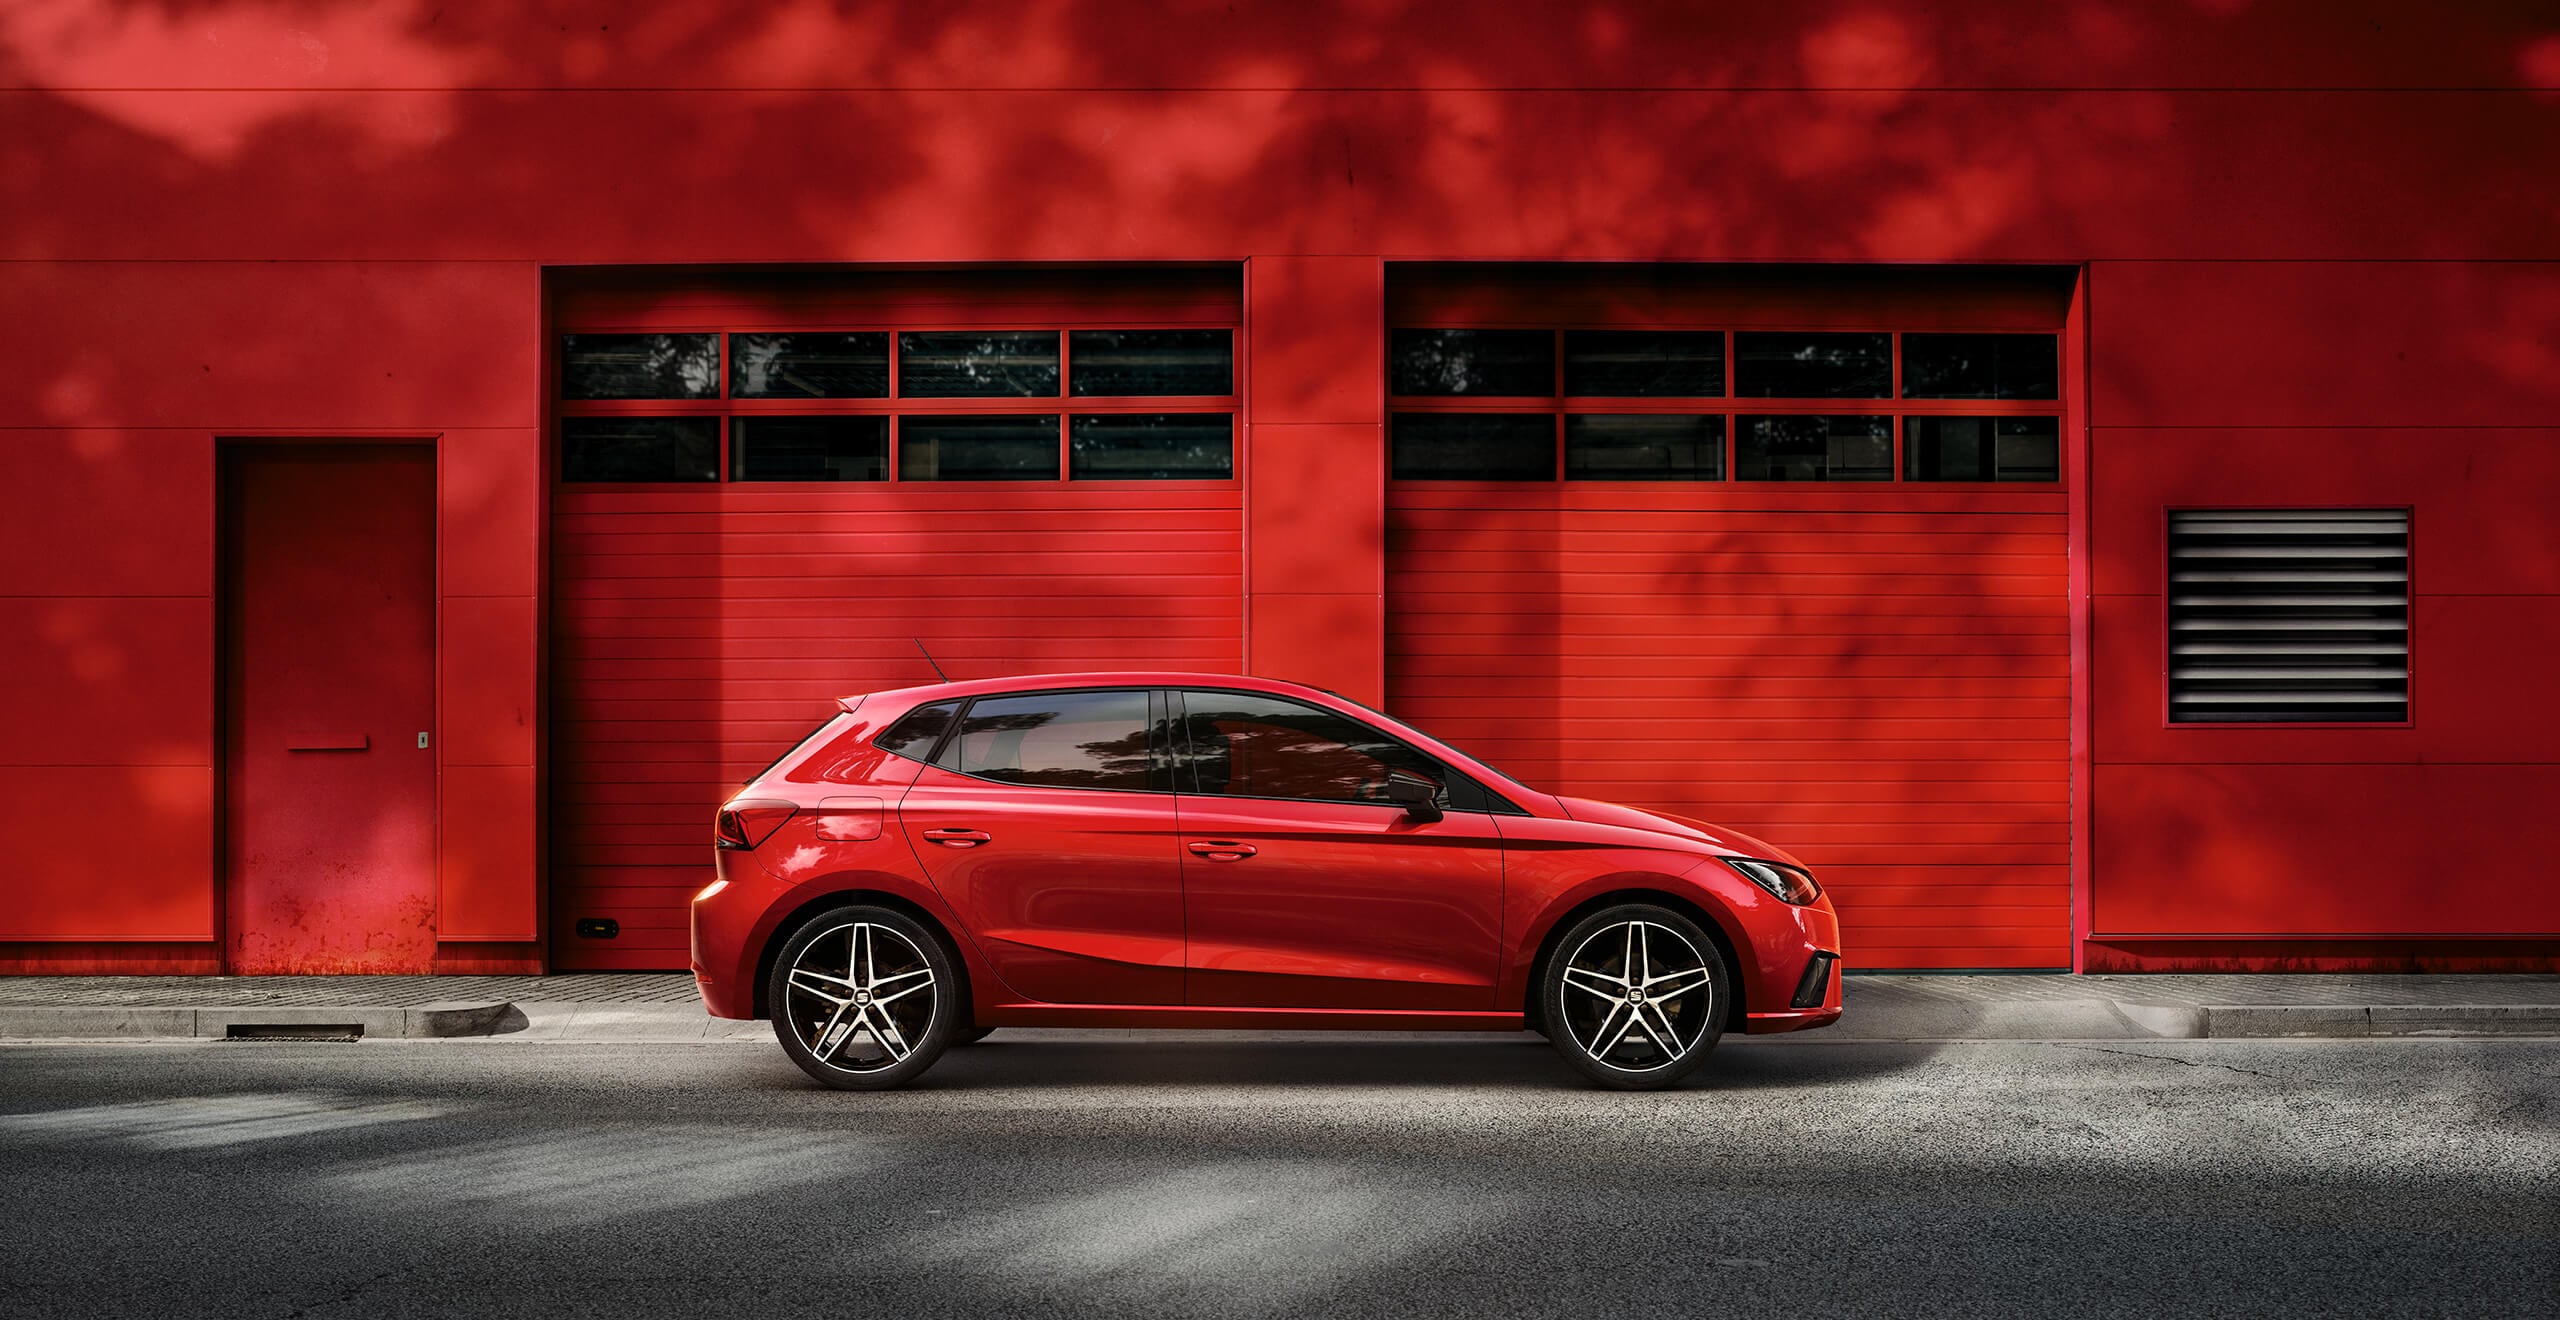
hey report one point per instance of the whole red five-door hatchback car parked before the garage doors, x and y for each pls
(1210, 851)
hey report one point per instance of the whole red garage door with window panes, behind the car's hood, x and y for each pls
(1783, 554)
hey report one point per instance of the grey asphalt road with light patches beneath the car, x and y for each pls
(1112, 1175)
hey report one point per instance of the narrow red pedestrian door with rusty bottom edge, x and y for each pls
(329, 702)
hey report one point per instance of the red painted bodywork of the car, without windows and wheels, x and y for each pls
(1453, 958)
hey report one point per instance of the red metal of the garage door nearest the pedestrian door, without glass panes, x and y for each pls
(703, 628)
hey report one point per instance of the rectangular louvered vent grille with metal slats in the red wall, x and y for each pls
(2287, 615)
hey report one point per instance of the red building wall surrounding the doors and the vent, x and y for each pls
(2305, 226)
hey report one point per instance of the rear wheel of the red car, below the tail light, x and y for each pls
(846, 999)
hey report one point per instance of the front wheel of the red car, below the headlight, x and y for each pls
(1635, 996)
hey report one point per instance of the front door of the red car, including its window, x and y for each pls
(1304, 886)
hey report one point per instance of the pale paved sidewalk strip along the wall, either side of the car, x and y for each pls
(662, 1007)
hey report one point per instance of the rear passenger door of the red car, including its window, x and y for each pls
(1041, 830)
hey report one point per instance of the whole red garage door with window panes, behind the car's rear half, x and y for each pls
(772, 490)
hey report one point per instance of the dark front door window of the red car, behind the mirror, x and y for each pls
(1266, 748)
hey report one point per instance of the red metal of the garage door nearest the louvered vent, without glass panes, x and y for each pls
(1875, 674)
